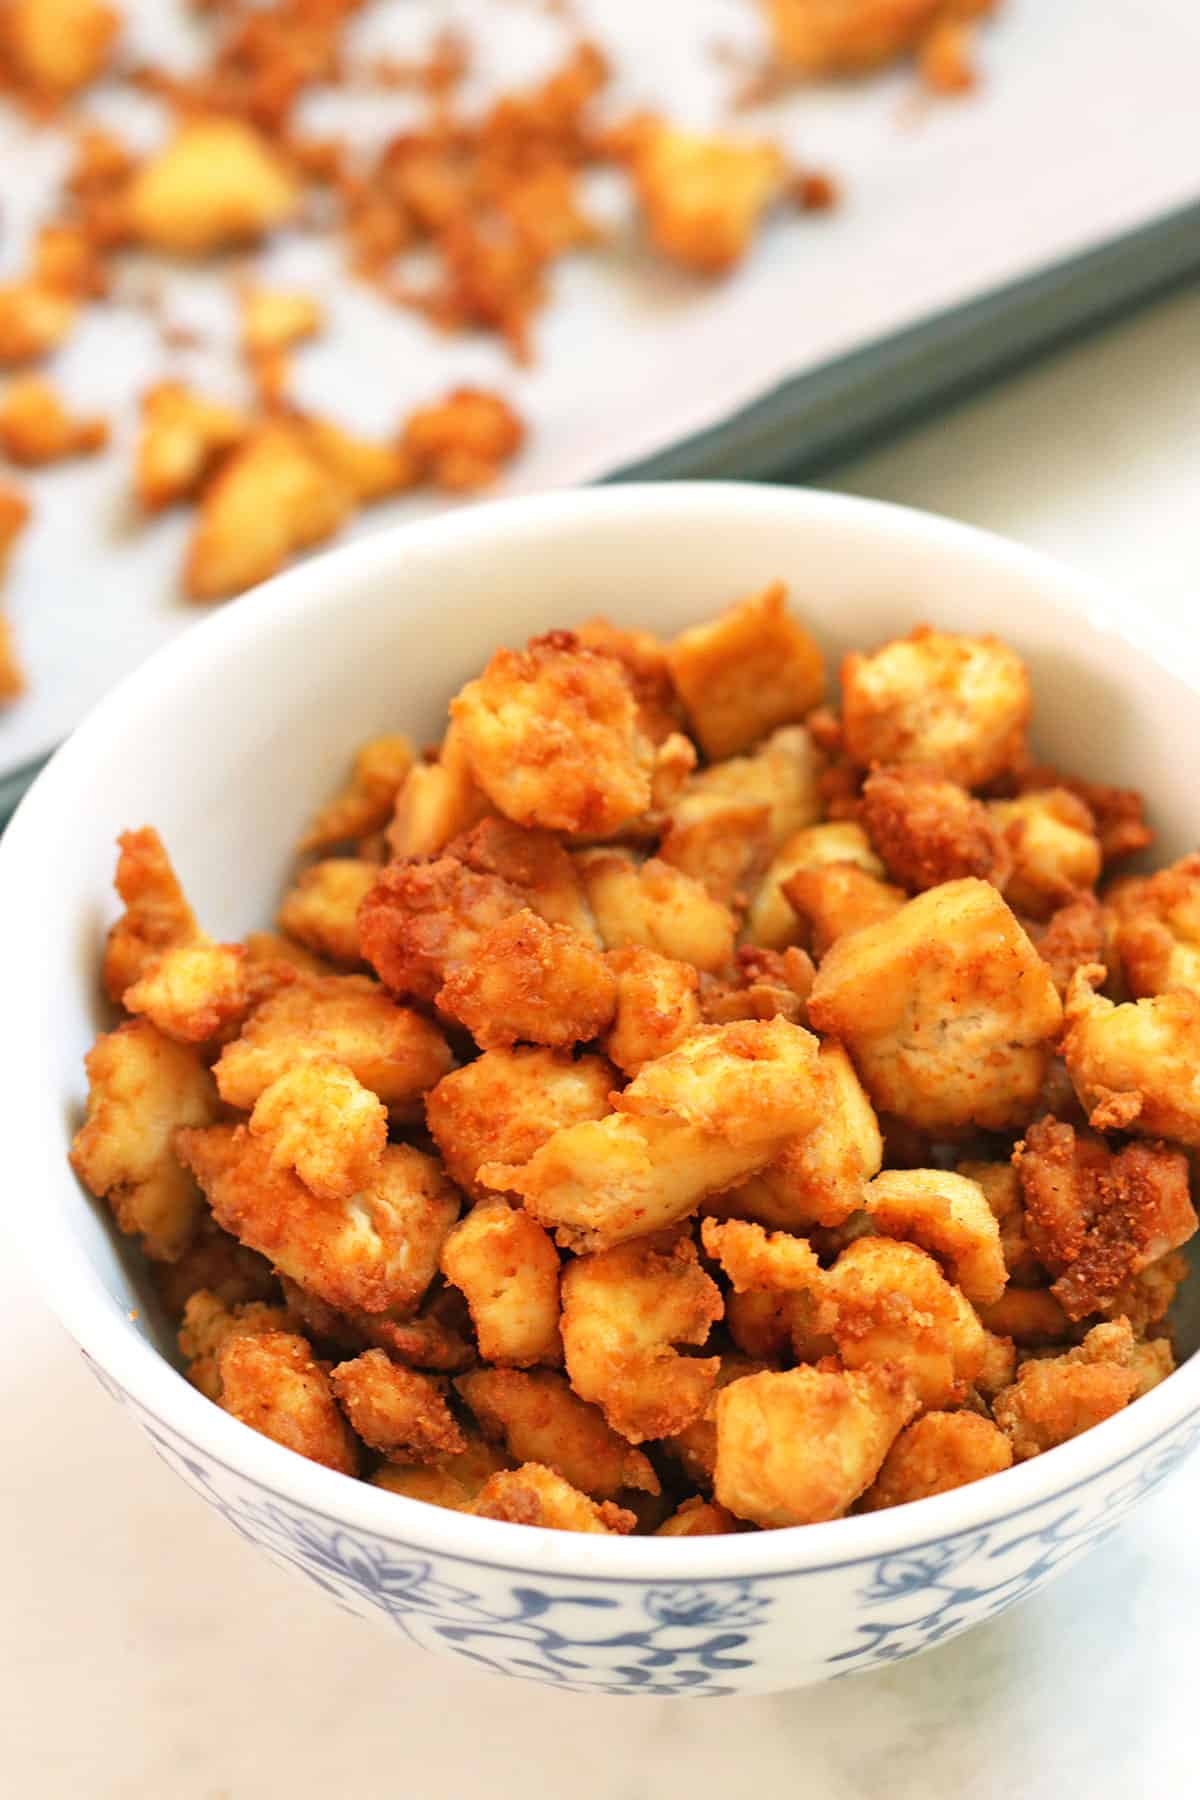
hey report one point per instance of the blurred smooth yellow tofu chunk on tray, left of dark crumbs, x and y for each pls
(215, 186)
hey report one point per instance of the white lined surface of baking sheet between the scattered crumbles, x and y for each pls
(1082, 132)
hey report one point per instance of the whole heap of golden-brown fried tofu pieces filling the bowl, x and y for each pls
(627, 1129)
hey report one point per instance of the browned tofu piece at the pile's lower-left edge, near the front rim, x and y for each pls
(273, 1383)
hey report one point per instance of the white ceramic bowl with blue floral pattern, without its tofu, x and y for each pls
(229, 737)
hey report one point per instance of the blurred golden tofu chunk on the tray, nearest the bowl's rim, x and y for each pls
(269, 501)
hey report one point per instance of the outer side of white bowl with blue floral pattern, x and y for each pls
(604, 1635)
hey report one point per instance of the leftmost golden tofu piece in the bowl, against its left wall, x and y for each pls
(141, 1090)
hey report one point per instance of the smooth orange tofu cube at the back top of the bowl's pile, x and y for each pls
(748, 672)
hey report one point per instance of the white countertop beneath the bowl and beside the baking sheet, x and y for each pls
(150, 1655)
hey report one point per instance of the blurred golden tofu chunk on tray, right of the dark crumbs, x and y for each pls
(703, 195)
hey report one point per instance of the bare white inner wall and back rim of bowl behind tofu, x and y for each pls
(229, 739)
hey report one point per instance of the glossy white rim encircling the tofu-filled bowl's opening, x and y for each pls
(76, 1293)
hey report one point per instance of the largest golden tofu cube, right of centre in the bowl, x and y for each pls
(945, 1009)
